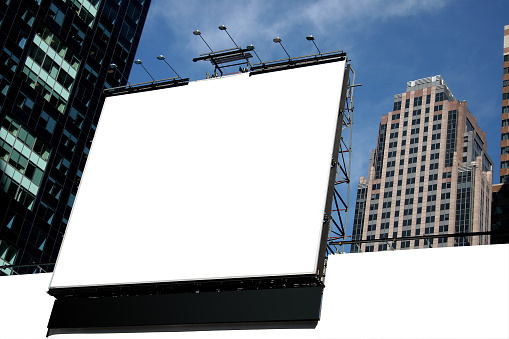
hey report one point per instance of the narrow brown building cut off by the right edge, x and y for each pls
(500, 208)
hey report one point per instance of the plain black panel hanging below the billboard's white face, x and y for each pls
(267, 308)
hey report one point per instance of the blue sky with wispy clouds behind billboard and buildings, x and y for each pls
(388, 43)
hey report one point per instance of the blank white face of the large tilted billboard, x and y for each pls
(222, 178)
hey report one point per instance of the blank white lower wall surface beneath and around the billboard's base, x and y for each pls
(456, 292)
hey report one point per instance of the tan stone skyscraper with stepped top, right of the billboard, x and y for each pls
(429, 174)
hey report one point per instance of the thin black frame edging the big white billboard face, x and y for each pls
(242, 283)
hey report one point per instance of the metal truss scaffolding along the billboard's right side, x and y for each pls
(340, 207)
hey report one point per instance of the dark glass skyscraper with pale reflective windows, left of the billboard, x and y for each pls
(56, 58)
